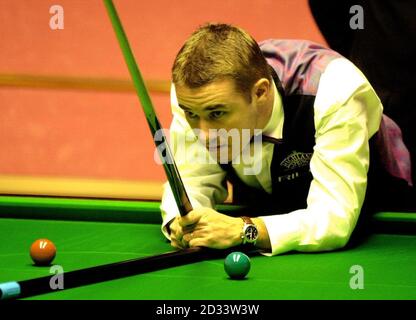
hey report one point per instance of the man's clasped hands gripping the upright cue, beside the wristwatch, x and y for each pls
(205, 227)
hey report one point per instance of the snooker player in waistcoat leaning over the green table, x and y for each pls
(320, 121)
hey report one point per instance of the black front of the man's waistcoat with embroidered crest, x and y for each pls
(290, 167)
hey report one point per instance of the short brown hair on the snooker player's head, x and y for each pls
(217, 51)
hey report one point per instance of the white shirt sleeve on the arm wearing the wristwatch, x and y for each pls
(347, 113)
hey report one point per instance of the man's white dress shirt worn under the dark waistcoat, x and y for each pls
(347, 112)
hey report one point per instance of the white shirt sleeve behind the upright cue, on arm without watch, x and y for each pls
(203, 178)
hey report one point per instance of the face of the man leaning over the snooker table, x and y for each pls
(215, 106)
